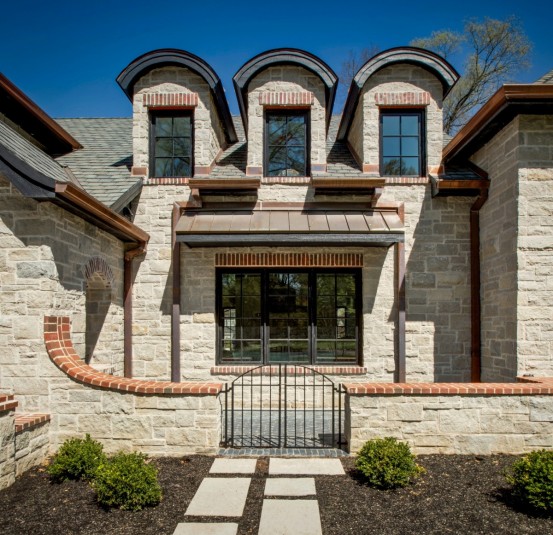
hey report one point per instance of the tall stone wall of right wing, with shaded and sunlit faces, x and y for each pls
(517, 251)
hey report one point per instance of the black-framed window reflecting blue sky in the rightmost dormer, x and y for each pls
(401, 135)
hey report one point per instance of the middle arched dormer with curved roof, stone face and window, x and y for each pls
(295, 89)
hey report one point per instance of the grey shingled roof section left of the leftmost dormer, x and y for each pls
(103, 165)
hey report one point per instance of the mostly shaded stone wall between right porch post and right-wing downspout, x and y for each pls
(437, 293)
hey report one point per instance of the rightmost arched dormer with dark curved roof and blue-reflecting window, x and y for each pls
(401, 84)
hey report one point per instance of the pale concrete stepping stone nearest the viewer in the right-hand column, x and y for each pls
(290, 517)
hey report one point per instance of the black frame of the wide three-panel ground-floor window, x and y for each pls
(312, 306)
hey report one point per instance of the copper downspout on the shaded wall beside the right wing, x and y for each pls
(475, 305)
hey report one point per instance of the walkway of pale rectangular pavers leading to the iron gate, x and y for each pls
(226, 497)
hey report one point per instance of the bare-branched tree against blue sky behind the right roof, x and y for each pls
(496, 51)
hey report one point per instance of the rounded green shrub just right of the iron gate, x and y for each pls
(386, 463)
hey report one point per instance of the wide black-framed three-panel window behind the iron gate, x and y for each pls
(299, 316)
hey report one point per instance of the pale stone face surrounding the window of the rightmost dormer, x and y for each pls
(395, 81)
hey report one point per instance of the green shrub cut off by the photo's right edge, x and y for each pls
(532, 479)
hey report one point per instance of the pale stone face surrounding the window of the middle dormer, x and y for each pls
(286, 79)
